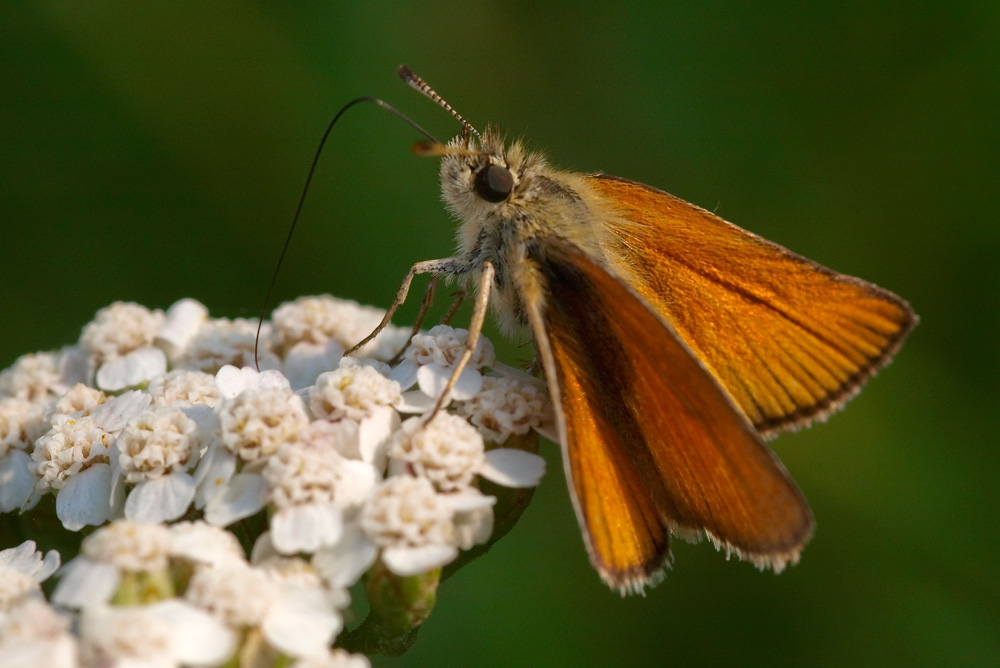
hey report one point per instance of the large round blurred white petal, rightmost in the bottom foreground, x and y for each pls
(302, 622)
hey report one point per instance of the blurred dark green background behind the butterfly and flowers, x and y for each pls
(157, 150)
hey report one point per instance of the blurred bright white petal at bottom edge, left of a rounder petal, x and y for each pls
(200, 639)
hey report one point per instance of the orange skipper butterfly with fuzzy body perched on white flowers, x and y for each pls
(672, 342)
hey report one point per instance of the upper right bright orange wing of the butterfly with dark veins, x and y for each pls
(788, 338)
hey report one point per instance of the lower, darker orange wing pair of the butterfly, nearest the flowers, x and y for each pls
(652, 443)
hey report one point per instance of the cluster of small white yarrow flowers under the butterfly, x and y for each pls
(156, 429)
